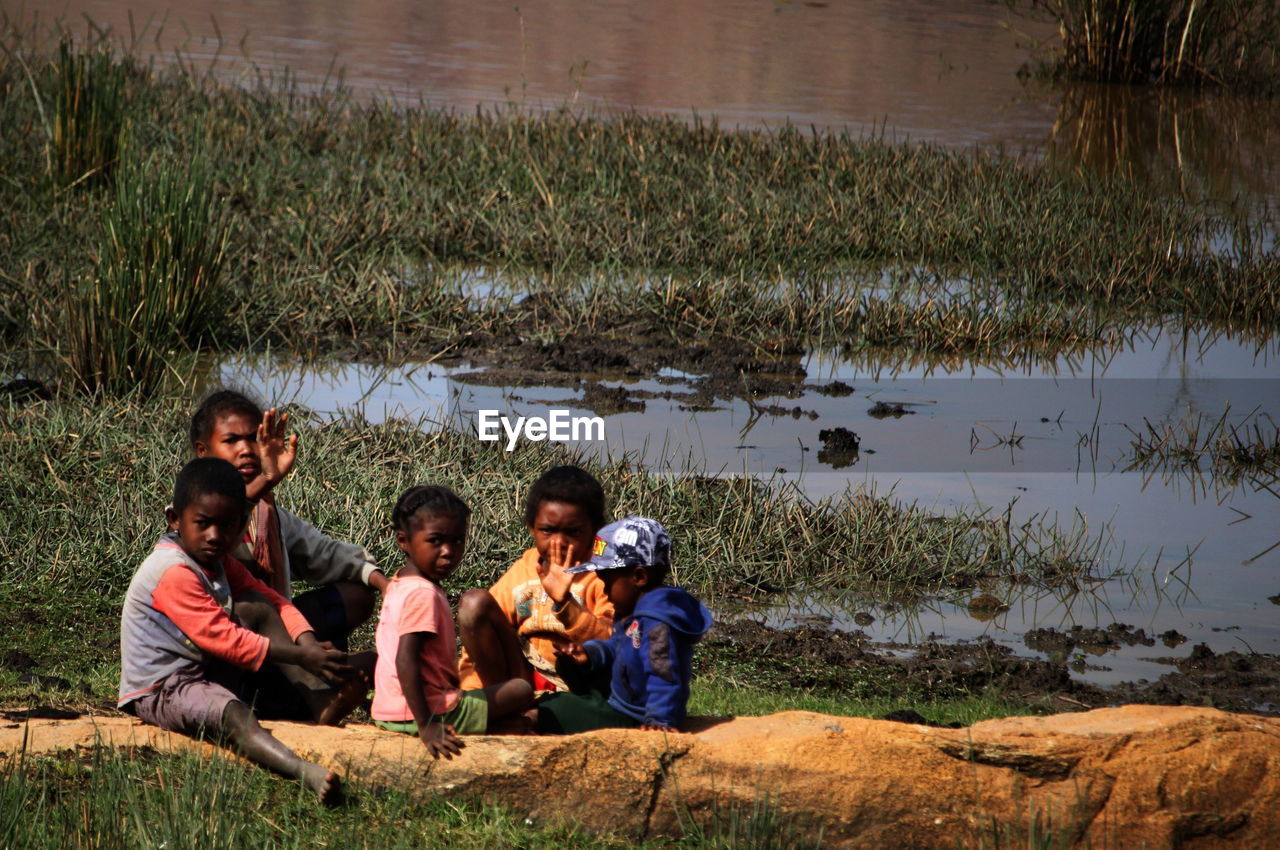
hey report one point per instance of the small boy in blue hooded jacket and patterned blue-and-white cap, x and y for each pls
(639, 678)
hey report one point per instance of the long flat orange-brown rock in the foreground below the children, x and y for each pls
(1122, 778)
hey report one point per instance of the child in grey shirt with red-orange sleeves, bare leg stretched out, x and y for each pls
(194, 615)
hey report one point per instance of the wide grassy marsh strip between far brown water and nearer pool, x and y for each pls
(351, 225)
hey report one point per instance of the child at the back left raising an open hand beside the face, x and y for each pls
(278, 546)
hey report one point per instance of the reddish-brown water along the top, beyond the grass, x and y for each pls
(920, 70)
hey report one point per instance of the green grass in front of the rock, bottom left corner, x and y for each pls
(127, 799)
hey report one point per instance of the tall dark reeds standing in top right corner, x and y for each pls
(1174, 43)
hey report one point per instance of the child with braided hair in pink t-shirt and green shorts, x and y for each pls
(417, 682)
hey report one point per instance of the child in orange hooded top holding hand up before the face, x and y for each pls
(510, 632)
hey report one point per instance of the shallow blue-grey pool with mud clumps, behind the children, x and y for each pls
(1182, 554)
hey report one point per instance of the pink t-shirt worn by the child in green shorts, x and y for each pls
(410, 605)
